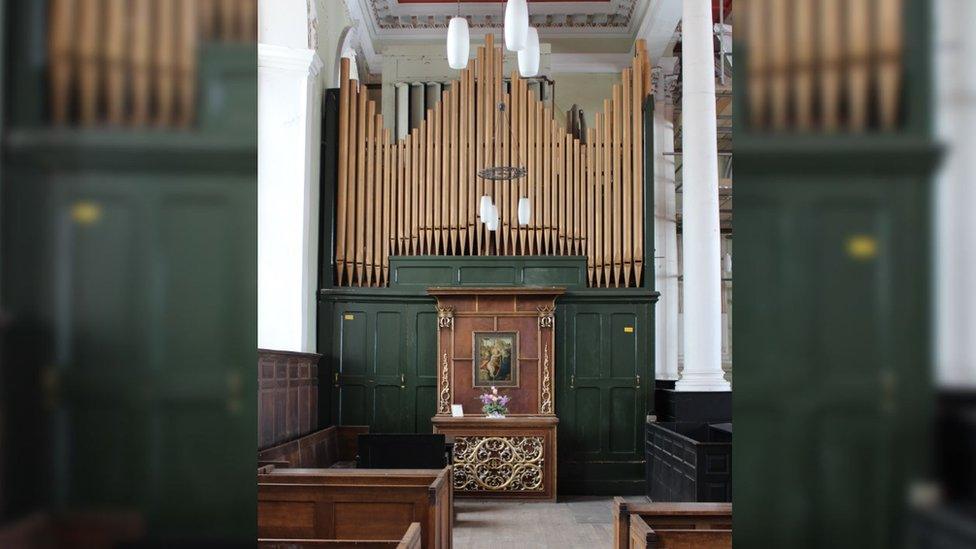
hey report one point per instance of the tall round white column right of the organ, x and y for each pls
(700, 222)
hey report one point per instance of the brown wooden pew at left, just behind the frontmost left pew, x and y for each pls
(356, 504)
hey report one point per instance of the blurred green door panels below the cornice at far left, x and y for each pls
(139, 277)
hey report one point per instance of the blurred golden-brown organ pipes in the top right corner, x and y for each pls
(825, 66)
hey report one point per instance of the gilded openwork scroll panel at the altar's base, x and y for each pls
(499, 463)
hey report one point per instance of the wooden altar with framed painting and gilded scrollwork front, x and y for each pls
(502, 338)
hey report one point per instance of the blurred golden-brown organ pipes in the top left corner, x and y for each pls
(134, 62)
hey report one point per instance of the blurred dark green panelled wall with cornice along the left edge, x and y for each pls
(131, 257)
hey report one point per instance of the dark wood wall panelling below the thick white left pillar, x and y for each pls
(287, 395)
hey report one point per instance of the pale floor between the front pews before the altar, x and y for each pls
(571, 522)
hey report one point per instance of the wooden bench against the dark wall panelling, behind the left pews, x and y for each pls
(334, 446)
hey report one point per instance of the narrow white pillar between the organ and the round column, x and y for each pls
(665, 234)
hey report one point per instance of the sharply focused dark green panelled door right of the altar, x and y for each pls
(601, 397)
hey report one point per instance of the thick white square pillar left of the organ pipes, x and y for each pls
(289, 109)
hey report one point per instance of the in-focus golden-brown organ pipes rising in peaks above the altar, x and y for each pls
(420, 195)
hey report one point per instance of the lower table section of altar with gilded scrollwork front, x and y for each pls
(514, 457)
